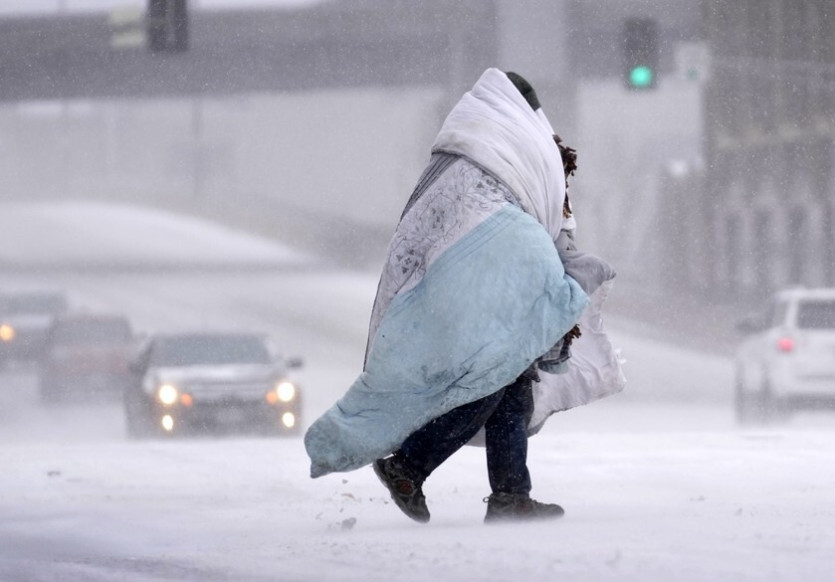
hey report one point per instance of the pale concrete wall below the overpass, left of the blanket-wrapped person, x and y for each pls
(353, 152)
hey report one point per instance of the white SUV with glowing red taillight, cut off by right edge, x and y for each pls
(787, 360)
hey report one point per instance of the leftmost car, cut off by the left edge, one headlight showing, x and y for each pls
(24, 319)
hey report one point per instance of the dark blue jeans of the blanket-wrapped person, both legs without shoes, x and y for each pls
(504, 416)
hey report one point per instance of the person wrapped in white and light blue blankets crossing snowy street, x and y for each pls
(473, 293)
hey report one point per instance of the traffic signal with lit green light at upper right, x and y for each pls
(639, 51)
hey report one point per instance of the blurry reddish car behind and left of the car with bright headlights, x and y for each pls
(85, 358)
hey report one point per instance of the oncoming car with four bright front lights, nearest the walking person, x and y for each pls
(211, 382)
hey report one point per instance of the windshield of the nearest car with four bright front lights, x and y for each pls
(209, 350)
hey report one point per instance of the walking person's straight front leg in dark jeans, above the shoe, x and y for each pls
(506, 434)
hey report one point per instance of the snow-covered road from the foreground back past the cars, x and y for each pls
(658, 483)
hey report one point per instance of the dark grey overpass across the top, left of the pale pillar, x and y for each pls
(333, 44)
